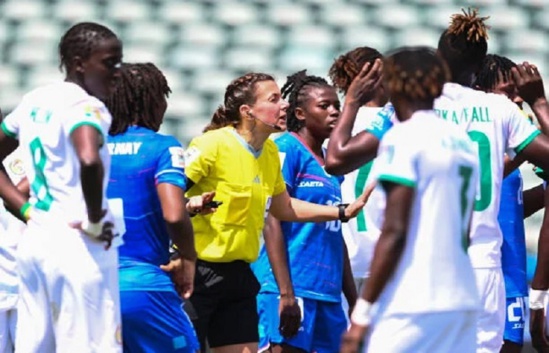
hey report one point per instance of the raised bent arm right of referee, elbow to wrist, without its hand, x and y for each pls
(346, 152)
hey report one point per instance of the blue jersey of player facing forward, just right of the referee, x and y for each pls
(315, 250)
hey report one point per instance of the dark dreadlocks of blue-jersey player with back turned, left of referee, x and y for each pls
(139, 93)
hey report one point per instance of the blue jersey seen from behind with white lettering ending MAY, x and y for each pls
(142, 159)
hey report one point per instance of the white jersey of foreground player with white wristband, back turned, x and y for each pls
(440, 162)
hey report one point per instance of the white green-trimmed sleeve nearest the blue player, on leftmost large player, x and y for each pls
(88, 113)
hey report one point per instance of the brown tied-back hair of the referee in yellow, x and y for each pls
(239, 92)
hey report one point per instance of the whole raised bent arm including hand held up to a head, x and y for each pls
(345, 152)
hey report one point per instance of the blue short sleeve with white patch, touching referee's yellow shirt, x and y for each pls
(170, 168)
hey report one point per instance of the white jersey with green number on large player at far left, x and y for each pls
(43, 123)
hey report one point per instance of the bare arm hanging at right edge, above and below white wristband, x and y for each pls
(541, 282)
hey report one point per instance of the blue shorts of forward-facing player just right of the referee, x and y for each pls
(322, 324)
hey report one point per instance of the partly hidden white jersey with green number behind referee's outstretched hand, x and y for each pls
(359, 237)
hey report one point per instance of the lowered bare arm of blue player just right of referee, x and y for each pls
(290, 315)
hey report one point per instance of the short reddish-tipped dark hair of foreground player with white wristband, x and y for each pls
(416, 73)
